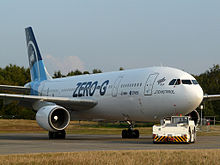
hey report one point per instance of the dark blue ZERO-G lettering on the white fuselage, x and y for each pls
(89, 88)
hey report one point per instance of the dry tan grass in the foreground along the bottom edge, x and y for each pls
(134, 157)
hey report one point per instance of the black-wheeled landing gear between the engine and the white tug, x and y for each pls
(130, 132)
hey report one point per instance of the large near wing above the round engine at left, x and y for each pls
(69, 103)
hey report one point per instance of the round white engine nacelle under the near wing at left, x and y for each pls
(53, 118)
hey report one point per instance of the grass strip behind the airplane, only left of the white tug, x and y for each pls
(84, 127)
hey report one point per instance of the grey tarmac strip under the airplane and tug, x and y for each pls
(17, 143)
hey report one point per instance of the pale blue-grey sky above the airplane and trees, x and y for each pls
(107, 35)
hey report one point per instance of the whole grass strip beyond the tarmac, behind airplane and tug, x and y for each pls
(87, 127)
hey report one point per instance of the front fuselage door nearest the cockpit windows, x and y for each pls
(148, 89)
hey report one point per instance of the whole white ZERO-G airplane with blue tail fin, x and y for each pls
(146, 94)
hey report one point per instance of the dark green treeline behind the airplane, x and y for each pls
(15, 75)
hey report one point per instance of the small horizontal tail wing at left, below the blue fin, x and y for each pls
(19, 89)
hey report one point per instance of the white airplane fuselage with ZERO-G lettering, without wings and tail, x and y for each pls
(136, 95)
